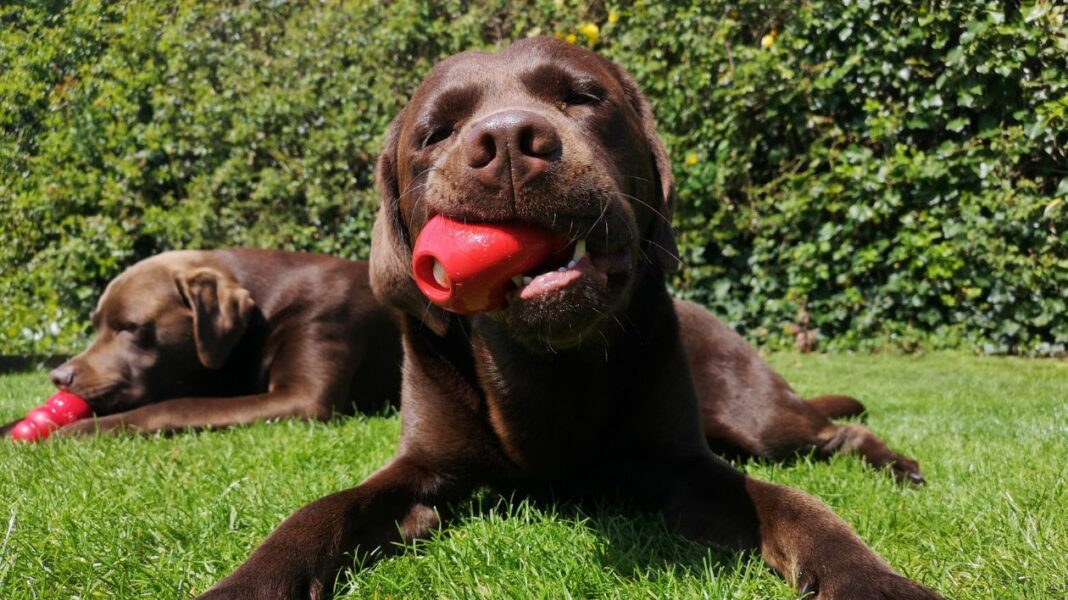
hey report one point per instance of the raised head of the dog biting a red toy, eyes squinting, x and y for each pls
(543, 133)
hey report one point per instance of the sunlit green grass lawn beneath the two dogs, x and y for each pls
(166, 518)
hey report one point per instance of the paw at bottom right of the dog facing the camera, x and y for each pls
(859, 585)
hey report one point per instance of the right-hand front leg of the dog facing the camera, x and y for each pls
(797, 535)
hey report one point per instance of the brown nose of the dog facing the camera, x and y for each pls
(511, 146)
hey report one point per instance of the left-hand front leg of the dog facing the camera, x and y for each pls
(302, 559)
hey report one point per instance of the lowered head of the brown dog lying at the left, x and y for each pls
(162, 328)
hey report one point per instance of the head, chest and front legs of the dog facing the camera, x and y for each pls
(573, 391)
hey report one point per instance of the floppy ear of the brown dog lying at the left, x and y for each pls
(222, 312)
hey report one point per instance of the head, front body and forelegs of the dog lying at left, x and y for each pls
(198, 339)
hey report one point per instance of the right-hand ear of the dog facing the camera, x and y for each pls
(661, 235)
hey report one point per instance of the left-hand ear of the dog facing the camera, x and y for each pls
(391, 277)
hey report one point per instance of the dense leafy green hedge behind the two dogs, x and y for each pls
(889, 173)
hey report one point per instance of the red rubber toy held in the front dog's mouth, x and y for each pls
(466, 267)
